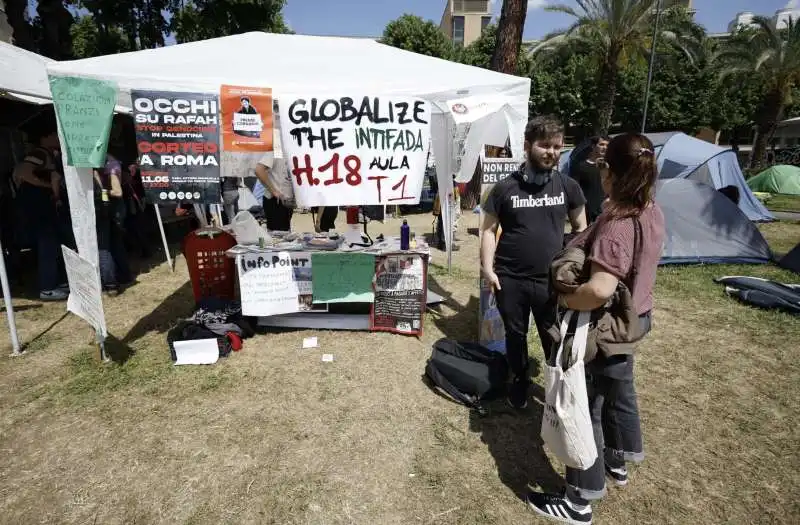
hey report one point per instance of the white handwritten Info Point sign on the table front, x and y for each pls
(266, 283)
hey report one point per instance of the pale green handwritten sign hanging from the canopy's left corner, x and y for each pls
(85, 109)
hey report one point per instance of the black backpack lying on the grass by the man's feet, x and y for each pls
(468, 372)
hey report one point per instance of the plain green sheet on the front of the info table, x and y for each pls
(342, 277)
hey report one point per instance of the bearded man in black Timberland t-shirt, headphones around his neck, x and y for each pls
(531, 208)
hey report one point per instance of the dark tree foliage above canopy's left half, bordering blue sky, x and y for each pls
(203, 19)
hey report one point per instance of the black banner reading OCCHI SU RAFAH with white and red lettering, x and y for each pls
(177, 136)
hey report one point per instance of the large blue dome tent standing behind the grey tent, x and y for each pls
(683, 157)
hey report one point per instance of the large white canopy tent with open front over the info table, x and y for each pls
(293, 64)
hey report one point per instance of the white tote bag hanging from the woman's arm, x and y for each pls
(566, 423)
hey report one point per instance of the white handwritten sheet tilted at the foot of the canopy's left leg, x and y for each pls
(85, 299)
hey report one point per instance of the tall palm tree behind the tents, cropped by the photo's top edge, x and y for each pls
(613, 30)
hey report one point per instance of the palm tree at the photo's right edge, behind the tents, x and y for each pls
(774, 55)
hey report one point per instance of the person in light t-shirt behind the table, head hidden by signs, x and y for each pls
(278, 198)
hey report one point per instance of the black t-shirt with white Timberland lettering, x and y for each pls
(532, 218)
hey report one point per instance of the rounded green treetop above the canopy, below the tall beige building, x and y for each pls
(412, 33)
